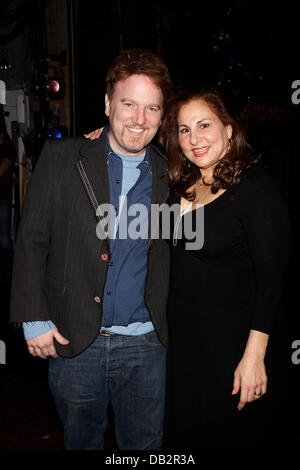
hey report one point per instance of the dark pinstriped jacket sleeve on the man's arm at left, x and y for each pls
(32, 246)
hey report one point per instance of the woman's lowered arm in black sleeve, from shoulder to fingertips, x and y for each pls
(265, 220)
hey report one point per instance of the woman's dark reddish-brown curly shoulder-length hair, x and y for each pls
(183, 174)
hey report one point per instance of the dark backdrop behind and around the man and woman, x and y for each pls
(248, 48)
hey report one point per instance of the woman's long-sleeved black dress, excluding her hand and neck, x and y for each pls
(217, 294)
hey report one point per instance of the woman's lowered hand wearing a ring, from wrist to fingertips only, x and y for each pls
(250, 379)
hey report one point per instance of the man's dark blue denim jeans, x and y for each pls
(129, 372)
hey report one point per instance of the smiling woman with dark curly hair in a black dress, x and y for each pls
(224, 298)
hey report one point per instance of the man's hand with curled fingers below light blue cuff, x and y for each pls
(42, 346)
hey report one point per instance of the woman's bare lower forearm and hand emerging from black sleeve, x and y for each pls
(250, 376)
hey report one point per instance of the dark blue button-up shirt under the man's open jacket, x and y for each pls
(124, 291)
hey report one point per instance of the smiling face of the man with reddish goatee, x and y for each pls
(135, 113)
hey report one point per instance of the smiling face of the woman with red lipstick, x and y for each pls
(203, 138)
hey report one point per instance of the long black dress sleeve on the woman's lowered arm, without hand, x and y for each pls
(266, 222)
